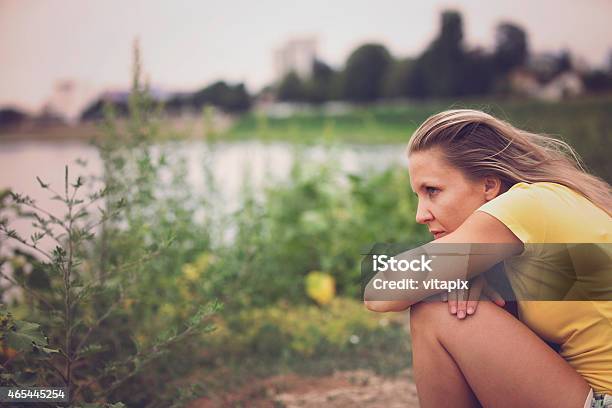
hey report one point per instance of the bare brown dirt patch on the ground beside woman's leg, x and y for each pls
(358, 388)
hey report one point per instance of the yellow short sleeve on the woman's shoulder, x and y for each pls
(522, 209)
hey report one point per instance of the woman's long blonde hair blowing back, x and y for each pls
(481, 145)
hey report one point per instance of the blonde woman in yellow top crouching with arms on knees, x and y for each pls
(480, 180)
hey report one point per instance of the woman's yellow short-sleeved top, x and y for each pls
(549, 213)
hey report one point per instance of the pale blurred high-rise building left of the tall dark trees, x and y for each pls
(296, 55)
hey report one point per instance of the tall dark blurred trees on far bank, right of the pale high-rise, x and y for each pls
(446, 68)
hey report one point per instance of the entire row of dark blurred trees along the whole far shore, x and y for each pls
(445, 68)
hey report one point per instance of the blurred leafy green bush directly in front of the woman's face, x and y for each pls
(320, 219)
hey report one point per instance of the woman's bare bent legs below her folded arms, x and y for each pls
(490, 356)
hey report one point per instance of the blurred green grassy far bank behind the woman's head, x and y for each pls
(585, 123)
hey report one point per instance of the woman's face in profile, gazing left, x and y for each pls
(446, 197)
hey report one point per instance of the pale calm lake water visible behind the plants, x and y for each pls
(231, 165)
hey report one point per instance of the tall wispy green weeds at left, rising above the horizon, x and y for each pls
(93, 315)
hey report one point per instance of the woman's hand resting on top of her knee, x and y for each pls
(464, 302)
